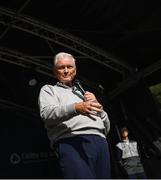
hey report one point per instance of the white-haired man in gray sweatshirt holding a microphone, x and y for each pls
(76, 124)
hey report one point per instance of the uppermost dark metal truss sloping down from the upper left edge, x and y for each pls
(13, 20)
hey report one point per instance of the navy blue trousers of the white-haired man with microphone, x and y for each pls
(84, 157)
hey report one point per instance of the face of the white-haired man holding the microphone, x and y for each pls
(65, 70)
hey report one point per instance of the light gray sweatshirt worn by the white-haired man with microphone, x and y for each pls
(56, 104)
